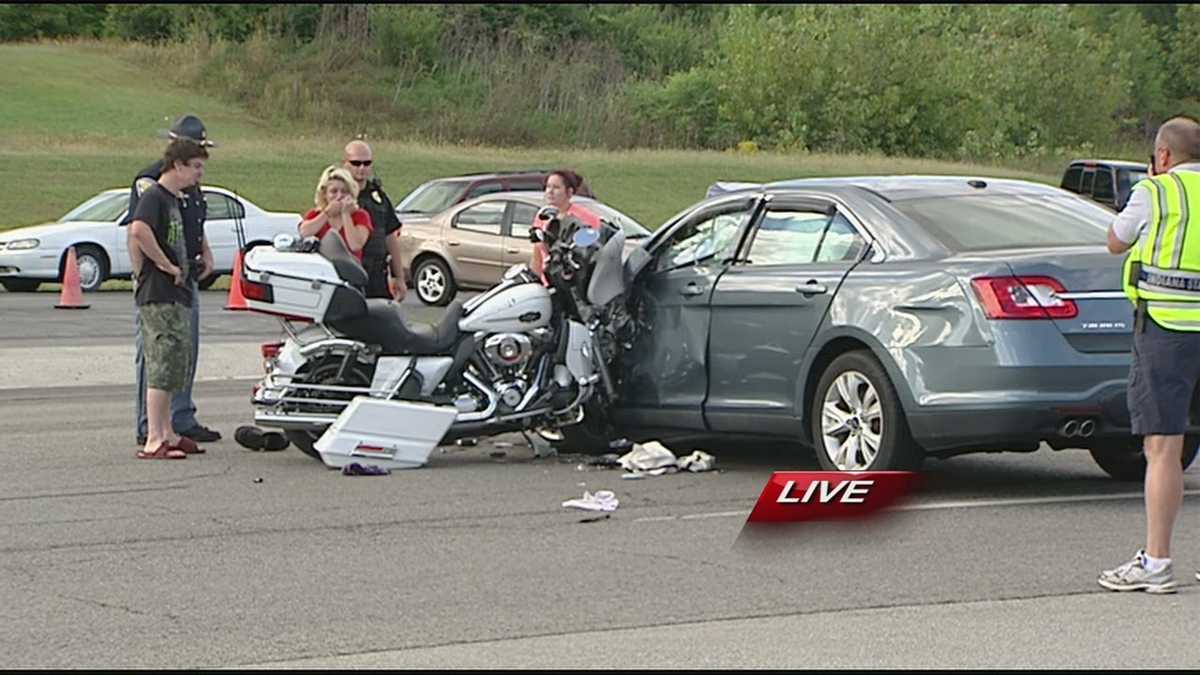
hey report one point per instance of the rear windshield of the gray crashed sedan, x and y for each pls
(980, 223)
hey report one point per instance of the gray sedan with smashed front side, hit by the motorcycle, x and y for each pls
(886, 319)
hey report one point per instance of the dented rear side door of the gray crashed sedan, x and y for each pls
(767, 308)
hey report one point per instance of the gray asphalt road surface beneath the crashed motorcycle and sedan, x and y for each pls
(268, 559)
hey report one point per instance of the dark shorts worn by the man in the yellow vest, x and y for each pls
(1162, 380)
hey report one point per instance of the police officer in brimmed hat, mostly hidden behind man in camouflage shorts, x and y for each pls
(194, 212)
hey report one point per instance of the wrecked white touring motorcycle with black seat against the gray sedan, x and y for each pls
(518, 357)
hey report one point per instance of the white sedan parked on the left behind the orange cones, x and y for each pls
(37, 254)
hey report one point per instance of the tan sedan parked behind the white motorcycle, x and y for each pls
(471, 244)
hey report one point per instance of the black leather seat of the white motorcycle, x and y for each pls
(385, 325)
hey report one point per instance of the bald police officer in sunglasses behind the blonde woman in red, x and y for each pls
(385, 242)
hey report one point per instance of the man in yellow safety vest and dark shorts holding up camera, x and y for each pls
(1161, 229)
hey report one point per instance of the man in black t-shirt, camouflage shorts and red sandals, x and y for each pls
(164, 295)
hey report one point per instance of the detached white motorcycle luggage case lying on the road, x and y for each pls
(388, 434)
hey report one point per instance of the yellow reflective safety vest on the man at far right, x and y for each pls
(1163, 268)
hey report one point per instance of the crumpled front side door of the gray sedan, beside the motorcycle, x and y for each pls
(667, 372)
